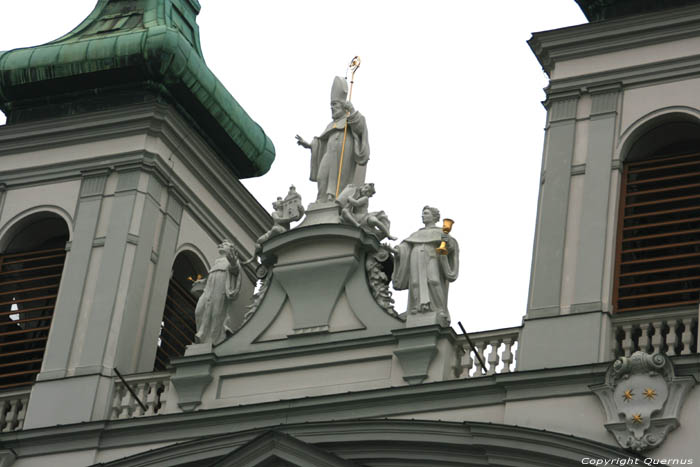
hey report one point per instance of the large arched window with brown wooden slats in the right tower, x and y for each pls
(658, 246)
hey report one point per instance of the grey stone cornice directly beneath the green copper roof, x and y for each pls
(151, 118)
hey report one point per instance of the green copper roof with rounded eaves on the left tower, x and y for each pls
(123, 48)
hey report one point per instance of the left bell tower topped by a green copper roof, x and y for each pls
(120, 160)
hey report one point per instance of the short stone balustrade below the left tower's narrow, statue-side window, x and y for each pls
(150, 388)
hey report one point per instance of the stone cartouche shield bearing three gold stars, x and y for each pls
(642, 398)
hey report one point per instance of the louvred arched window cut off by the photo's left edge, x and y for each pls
(31, 264)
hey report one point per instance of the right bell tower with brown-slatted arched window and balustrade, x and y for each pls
(615, 265)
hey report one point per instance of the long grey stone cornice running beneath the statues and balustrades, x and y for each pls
(376, 403)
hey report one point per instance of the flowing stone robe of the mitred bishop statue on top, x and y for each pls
(325, 155)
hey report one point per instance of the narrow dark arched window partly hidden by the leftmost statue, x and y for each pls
(178, 326)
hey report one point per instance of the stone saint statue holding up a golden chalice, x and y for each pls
(426, 273)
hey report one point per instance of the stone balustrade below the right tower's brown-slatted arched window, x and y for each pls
(672, 332)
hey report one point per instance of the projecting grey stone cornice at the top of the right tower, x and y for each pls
(609, 36)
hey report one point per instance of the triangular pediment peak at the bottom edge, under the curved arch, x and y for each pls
(275, 449)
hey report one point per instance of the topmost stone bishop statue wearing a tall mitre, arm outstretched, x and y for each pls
(326, 149)
